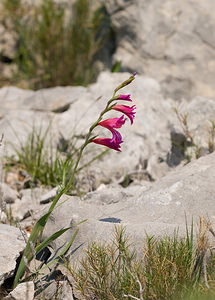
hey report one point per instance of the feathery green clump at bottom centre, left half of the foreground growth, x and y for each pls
(108, 270)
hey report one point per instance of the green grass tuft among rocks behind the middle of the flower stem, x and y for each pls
(45, 165)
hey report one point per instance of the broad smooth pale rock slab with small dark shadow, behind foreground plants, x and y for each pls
(157, 209)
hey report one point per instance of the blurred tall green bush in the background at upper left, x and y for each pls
(56, 46)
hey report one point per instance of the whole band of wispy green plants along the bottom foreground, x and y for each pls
(171, 268)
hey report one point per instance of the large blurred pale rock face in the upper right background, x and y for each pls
(172, 41)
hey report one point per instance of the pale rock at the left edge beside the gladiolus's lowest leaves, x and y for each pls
(11, 246)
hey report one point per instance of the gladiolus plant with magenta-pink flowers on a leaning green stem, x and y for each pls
(34, 244)
